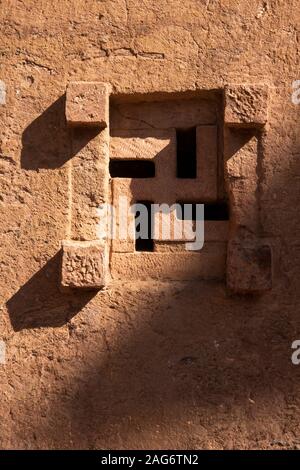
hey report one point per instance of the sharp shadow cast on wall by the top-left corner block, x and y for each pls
(47, 143)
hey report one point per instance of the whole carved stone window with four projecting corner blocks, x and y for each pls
(194, 147)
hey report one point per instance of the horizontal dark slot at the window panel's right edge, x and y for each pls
(212, 211)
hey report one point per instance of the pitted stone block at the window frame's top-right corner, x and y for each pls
(246, 105)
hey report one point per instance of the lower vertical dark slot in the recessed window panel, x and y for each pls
(146, 243)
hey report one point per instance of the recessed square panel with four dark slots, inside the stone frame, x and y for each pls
(177, 140)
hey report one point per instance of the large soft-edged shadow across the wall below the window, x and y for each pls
(185, 365)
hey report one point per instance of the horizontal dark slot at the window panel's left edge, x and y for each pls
(131, 169)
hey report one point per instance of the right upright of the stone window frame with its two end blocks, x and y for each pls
(249, 259)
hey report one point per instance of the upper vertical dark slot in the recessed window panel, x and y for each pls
(186, 153)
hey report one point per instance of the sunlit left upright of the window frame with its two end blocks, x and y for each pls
(84, 257)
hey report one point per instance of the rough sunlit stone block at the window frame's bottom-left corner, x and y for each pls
(83, 264)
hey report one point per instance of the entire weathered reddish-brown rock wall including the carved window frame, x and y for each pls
(171, 353)
